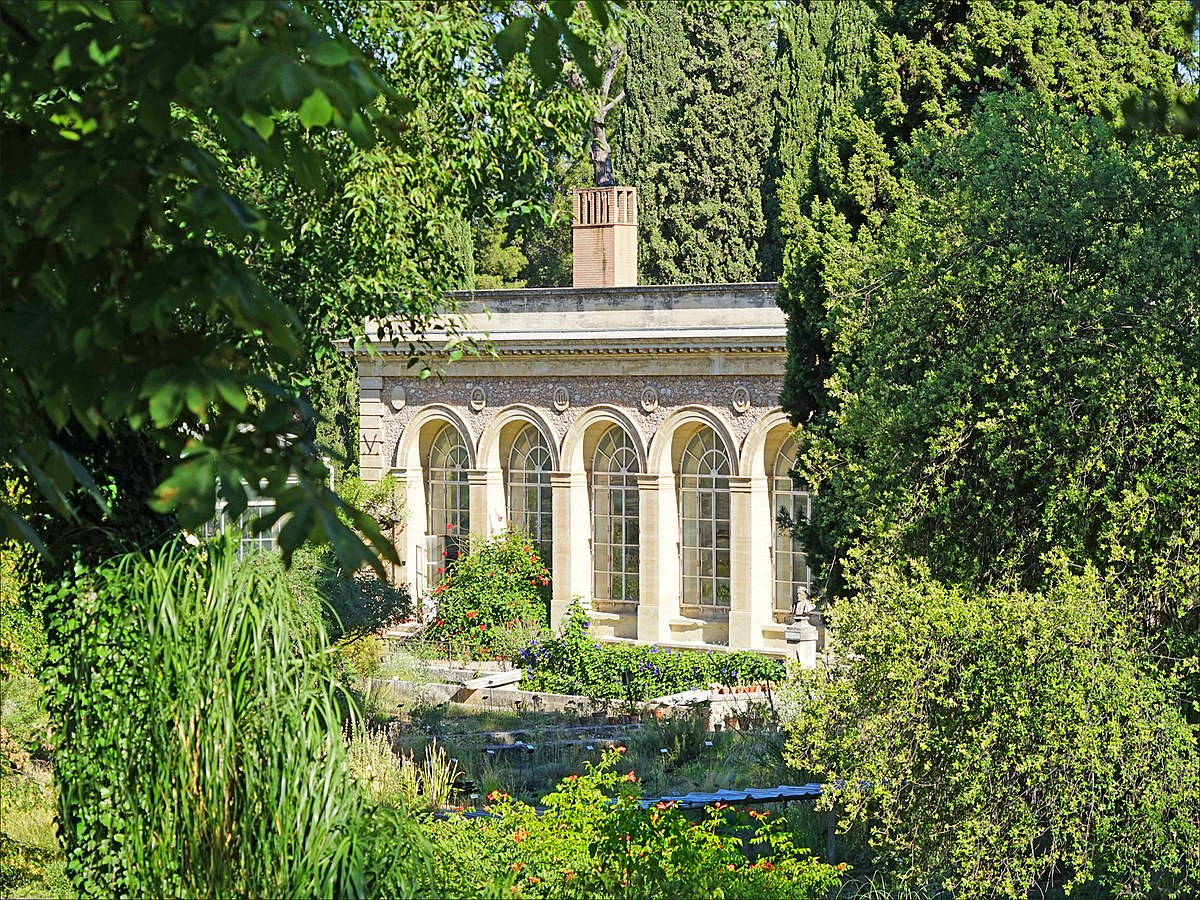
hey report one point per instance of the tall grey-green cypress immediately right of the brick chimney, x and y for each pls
(694, 136)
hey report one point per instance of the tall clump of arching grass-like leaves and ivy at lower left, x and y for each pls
(199, 751)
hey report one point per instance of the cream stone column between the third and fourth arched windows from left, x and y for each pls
(659, 565)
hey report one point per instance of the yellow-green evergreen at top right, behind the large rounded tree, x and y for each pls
(875, 76)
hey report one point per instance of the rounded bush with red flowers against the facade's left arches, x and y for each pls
(499, 587)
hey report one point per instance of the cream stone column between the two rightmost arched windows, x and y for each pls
(752, 575)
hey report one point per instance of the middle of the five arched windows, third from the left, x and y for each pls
(615, 519)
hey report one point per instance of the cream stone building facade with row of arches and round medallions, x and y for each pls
(691, 379)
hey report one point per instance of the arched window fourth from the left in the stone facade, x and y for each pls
(705, 523)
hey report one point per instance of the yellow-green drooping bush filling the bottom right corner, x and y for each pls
(1004, 743)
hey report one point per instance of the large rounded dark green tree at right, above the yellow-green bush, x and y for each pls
(1018, 373)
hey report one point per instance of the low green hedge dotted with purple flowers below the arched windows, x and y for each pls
(574, 663)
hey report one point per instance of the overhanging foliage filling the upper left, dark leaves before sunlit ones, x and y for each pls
(143, 155)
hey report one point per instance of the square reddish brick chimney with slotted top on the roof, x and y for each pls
(604, 237)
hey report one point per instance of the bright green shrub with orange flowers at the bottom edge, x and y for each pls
(595, 841)
